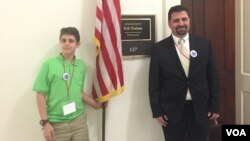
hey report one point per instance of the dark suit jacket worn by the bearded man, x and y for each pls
(168, 83)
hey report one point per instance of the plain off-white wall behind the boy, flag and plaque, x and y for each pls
(29, 32)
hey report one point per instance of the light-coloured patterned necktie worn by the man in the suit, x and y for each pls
(184, 56)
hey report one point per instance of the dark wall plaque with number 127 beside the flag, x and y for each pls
(138, 34)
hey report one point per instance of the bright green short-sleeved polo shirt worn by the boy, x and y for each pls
(50, 81)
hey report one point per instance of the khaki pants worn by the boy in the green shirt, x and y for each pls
(75, 130)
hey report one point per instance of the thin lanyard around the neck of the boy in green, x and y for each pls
(67, 77)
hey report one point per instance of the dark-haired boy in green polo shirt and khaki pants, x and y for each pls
(59, 87)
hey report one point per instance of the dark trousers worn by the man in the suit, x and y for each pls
(187, 127)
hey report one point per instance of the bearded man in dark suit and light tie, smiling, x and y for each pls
(183, 85)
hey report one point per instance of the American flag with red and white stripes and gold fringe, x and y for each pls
(109, 73)
